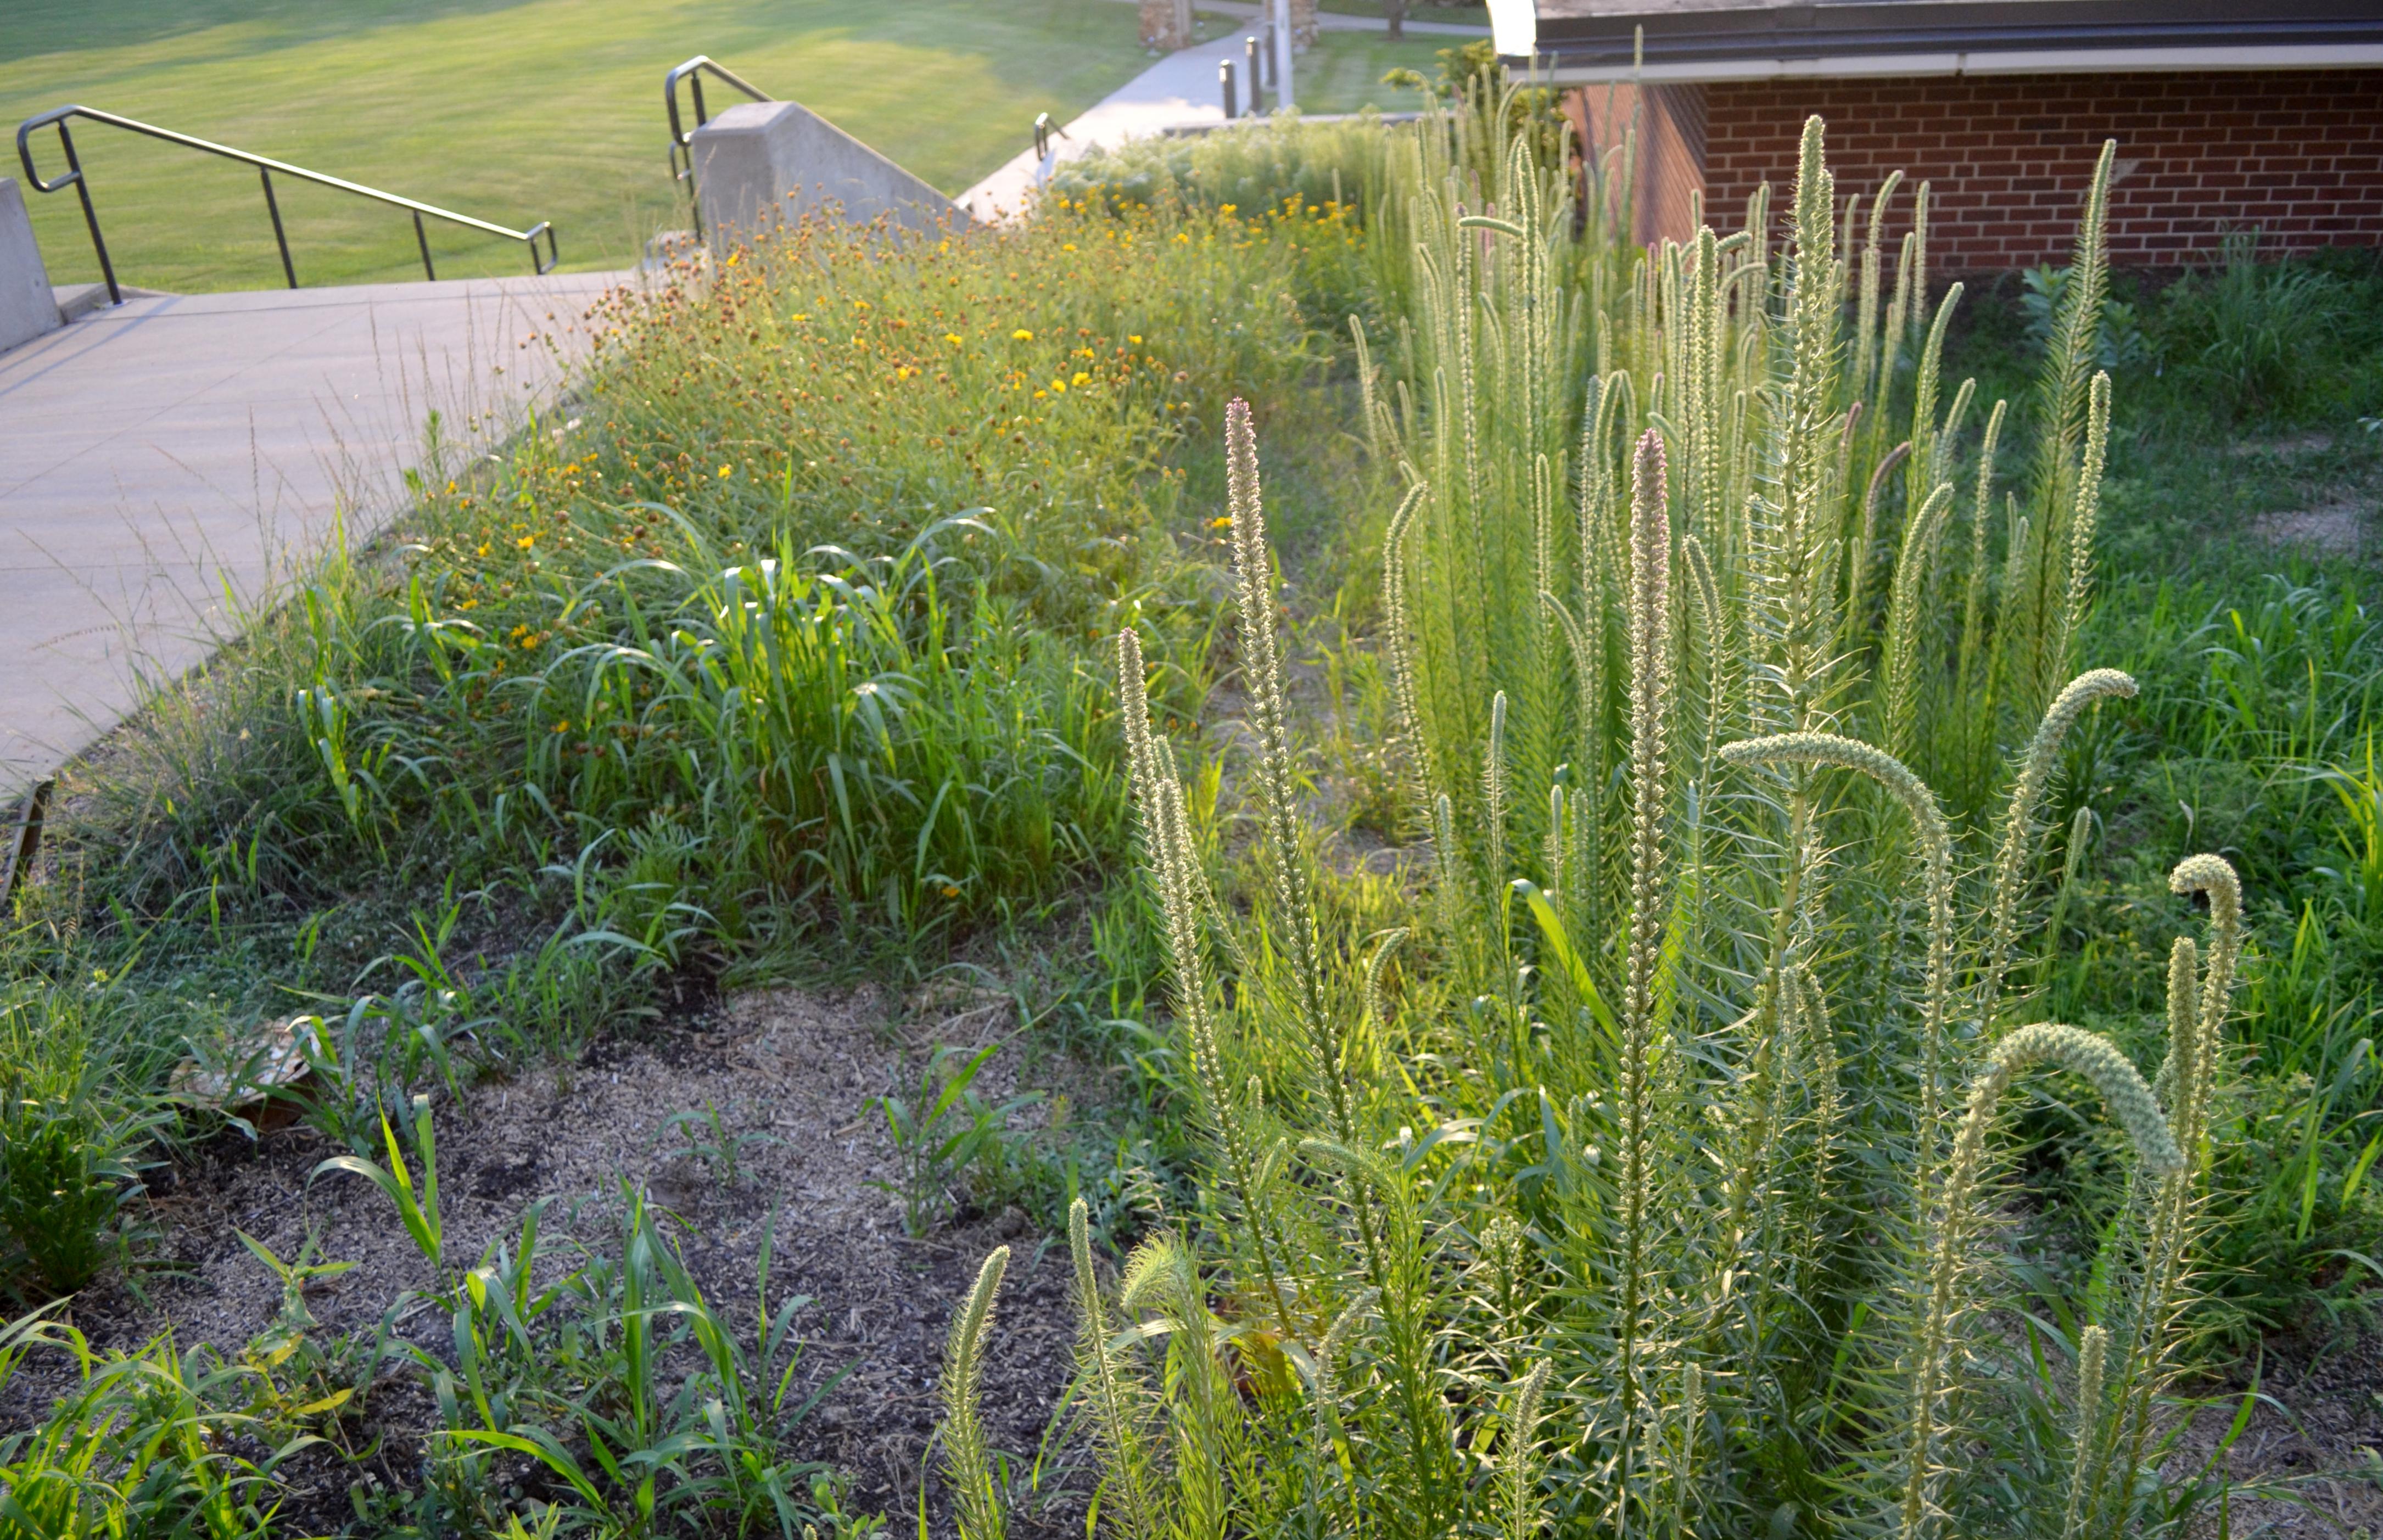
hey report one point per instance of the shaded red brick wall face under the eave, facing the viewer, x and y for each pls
(2291, 151)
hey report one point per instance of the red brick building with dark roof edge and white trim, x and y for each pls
(2227, 113)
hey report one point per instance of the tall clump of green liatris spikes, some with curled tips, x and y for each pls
(1655, 1184)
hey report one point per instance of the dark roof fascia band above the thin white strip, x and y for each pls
(1576, 37)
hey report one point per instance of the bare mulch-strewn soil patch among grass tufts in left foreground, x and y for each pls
(788, 1064)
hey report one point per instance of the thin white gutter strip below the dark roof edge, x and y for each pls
(2053, 61)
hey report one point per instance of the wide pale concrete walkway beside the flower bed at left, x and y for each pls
(170, 461)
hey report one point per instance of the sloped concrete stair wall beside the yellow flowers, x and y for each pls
(783, 156)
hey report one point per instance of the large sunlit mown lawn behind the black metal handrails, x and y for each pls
(504, 111)
